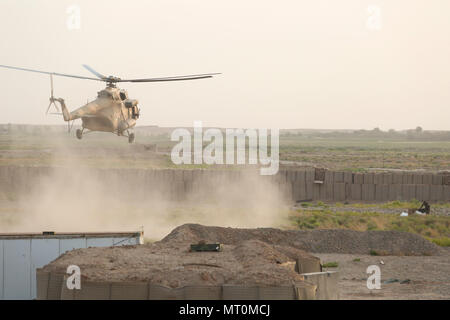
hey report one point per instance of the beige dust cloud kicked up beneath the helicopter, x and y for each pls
(73, 197)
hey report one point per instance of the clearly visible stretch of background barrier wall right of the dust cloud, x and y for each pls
(340, 186)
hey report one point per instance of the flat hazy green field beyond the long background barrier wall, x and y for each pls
(355, 151)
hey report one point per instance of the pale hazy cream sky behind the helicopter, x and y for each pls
(286, 64)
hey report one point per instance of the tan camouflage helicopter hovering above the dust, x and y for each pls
(112, 111)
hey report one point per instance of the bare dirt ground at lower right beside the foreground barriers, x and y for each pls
(429, 276)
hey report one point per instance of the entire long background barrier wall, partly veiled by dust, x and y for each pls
(296, 185)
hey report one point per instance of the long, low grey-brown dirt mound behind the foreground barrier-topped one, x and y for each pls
(319, 241)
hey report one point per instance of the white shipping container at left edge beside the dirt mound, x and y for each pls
(22, 254)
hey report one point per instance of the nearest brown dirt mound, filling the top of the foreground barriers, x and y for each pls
(170, 264)
